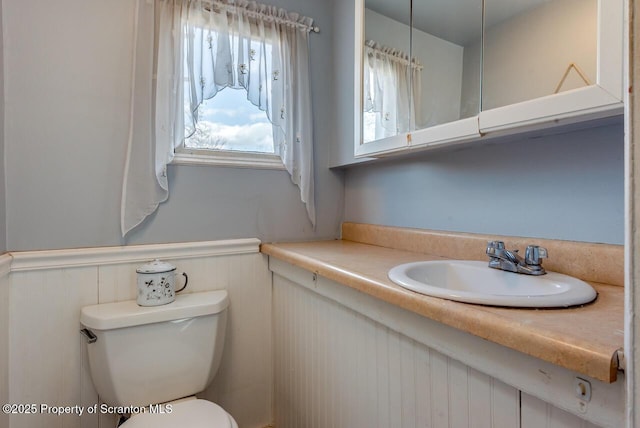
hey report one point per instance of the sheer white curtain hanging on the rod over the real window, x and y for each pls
(200, 48)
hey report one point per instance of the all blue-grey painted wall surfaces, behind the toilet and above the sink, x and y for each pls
(65, 129)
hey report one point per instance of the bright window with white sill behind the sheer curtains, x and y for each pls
(228, 124)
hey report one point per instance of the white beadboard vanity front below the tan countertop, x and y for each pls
(339, 364)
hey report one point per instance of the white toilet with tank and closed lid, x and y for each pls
(151, 361)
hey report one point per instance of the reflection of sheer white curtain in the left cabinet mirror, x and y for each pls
(389, 80)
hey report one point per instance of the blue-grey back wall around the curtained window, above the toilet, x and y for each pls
(67, 85)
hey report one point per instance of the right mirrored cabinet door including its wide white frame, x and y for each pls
(550, 61)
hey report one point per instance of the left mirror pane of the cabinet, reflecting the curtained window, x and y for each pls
(387, 75)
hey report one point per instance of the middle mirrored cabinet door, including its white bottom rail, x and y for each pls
(446, 41)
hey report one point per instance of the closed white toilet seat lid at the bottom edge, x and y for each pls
(196, 413)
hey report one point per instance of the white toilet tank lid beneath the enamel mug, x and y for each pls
(108, 316)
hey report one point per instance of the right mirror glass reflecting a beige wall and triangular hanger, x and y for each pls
(534, 48)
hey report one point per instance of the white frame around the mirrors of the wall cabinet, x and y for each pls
(603, 99)
